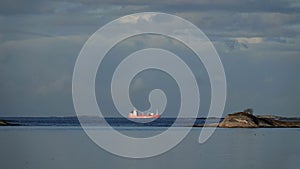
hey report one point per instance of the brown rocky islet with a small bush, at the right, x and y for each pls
(247, 120)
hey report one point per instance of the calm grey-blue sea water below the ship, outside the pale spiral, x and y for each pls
(55, 146)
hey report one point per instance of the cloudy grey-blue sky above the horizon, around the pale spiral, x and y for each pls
(257, 42)
